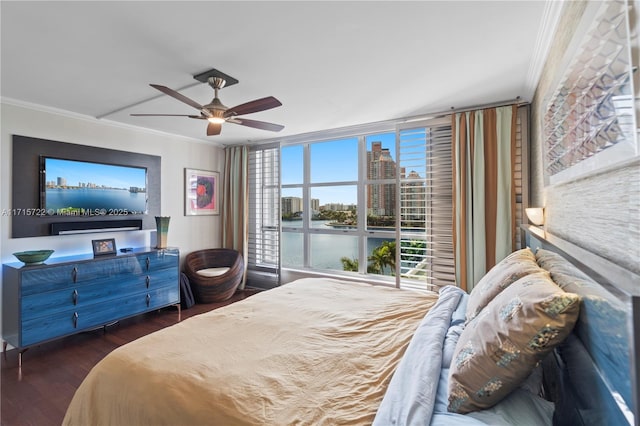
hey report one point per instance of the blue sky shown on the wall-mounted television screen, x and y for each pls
(100, 174)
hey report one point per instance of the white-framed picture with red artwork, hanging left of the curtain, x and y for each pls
(201, 192)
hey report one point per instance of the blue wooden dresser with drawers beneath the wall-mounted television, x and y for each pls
(68, 295)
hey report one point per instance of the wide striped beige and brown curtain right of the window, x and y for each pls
(484, 190)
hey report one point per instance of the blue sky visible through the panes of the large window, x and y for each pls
(331, 161)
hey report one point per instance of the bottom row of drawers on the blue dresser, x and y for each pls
(71, 321)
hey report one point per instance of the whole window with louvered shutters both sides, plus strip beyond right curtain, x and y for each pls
(377, 204)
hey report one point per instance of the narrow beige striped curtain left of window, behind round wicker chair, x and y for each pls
(235, 202)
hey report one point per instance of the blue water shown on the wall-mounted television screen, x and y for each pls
(113, 201)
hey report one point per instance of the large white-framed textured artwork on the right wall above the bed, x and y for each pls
(589, 123)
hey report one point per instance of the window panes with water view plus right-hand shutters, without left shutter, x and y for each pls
(368, 205)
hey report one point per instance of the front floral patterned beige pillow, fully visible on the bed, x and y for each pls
(498, 349)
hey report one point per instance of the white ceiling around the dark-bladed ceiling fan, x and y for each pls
(332, 64)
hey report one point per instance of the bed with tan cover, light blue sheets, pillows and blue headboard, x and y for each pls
(331, 352)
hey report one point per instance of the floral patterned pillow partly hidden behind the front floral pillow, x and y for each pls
(504, 273)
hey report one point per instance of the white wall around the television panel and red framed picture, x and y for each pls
(188, 233)
